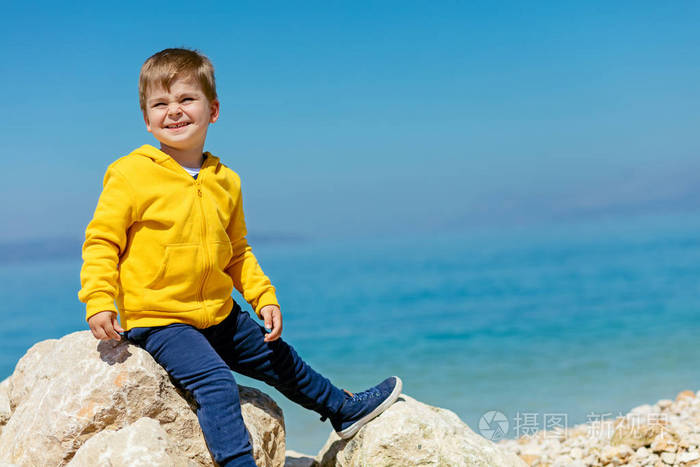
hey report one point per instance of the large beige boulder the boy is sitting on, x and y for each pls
(63, 392)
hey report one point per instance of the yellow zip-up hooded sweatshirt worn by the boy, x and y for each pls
(168, 248)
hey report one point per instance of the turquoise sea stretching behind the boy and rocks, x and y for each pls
(572, 318)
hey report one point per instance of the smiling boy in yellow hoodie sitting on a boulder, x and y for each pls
(167, 243)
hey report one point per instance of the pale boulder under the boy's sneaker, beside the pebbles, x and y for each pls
(412, 433)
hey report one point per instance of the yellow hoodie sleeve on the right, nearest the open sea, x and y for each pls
(246, 273)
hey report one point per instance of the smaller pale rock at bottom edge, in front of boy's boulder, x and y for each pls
(144, 443)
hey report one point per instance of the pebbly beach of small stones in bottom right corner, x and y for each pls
(660, 435)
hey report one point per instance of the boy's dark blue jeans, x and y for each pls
(201, 360)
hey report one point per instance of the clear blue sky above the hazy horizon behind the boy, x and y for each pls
(348, 118)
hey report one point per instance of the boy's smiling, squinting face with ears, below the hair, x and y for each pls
(179, 117)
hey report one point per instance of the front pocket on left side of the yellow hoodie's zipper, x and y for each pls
(177, 282)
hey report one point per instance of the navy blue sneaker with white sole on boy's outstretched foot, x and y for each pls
(361, 407)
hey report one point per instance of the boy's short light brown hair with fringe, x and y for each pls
(163, 67)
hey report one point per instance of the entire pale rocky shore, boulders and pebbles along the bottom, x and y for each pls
(81, 402)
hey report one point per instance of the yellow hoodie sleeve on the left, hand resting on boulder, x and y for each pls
(105, 241)
